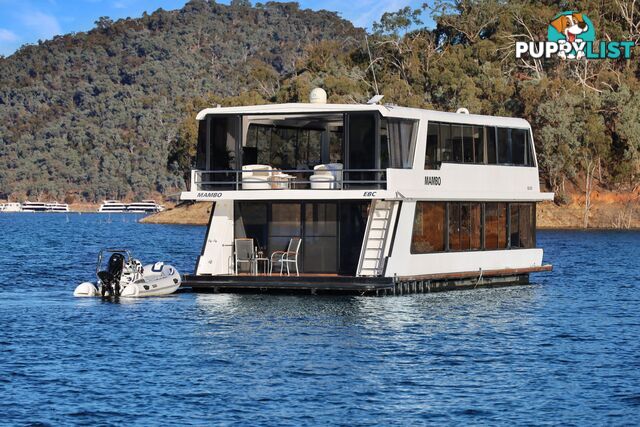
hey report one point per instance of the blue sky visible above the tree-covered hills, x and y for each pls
(27, 21)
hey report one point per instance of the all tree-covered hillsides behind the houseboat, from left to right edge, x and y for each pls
(112, 112)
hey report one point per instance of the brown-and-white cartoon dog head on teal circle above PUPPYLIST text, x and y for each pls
(574, 29)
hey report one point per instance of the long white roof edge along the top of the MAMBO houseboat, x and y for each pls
(385, 110)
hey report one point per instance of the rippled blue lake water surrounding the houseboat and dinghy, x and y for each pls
(564, 350)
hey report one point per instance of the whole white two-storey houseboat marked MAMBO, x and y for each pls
(371, 199)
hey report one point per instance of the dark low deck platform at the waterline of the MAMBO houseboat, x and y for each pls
(336, 284)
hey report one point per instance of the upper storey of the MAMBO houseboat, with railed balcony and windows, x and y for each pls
(352, 151)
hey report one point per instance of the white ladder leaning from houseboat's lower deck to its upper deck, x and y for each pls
(374, 245)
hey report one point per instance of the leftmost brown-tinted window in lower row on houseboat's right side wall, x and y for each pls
(428, 228)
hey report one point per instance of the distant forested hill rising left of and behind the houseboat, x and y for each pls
(94, 115)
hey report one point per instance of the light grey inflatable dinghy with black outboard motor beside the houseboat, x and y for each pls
(125, 277)
